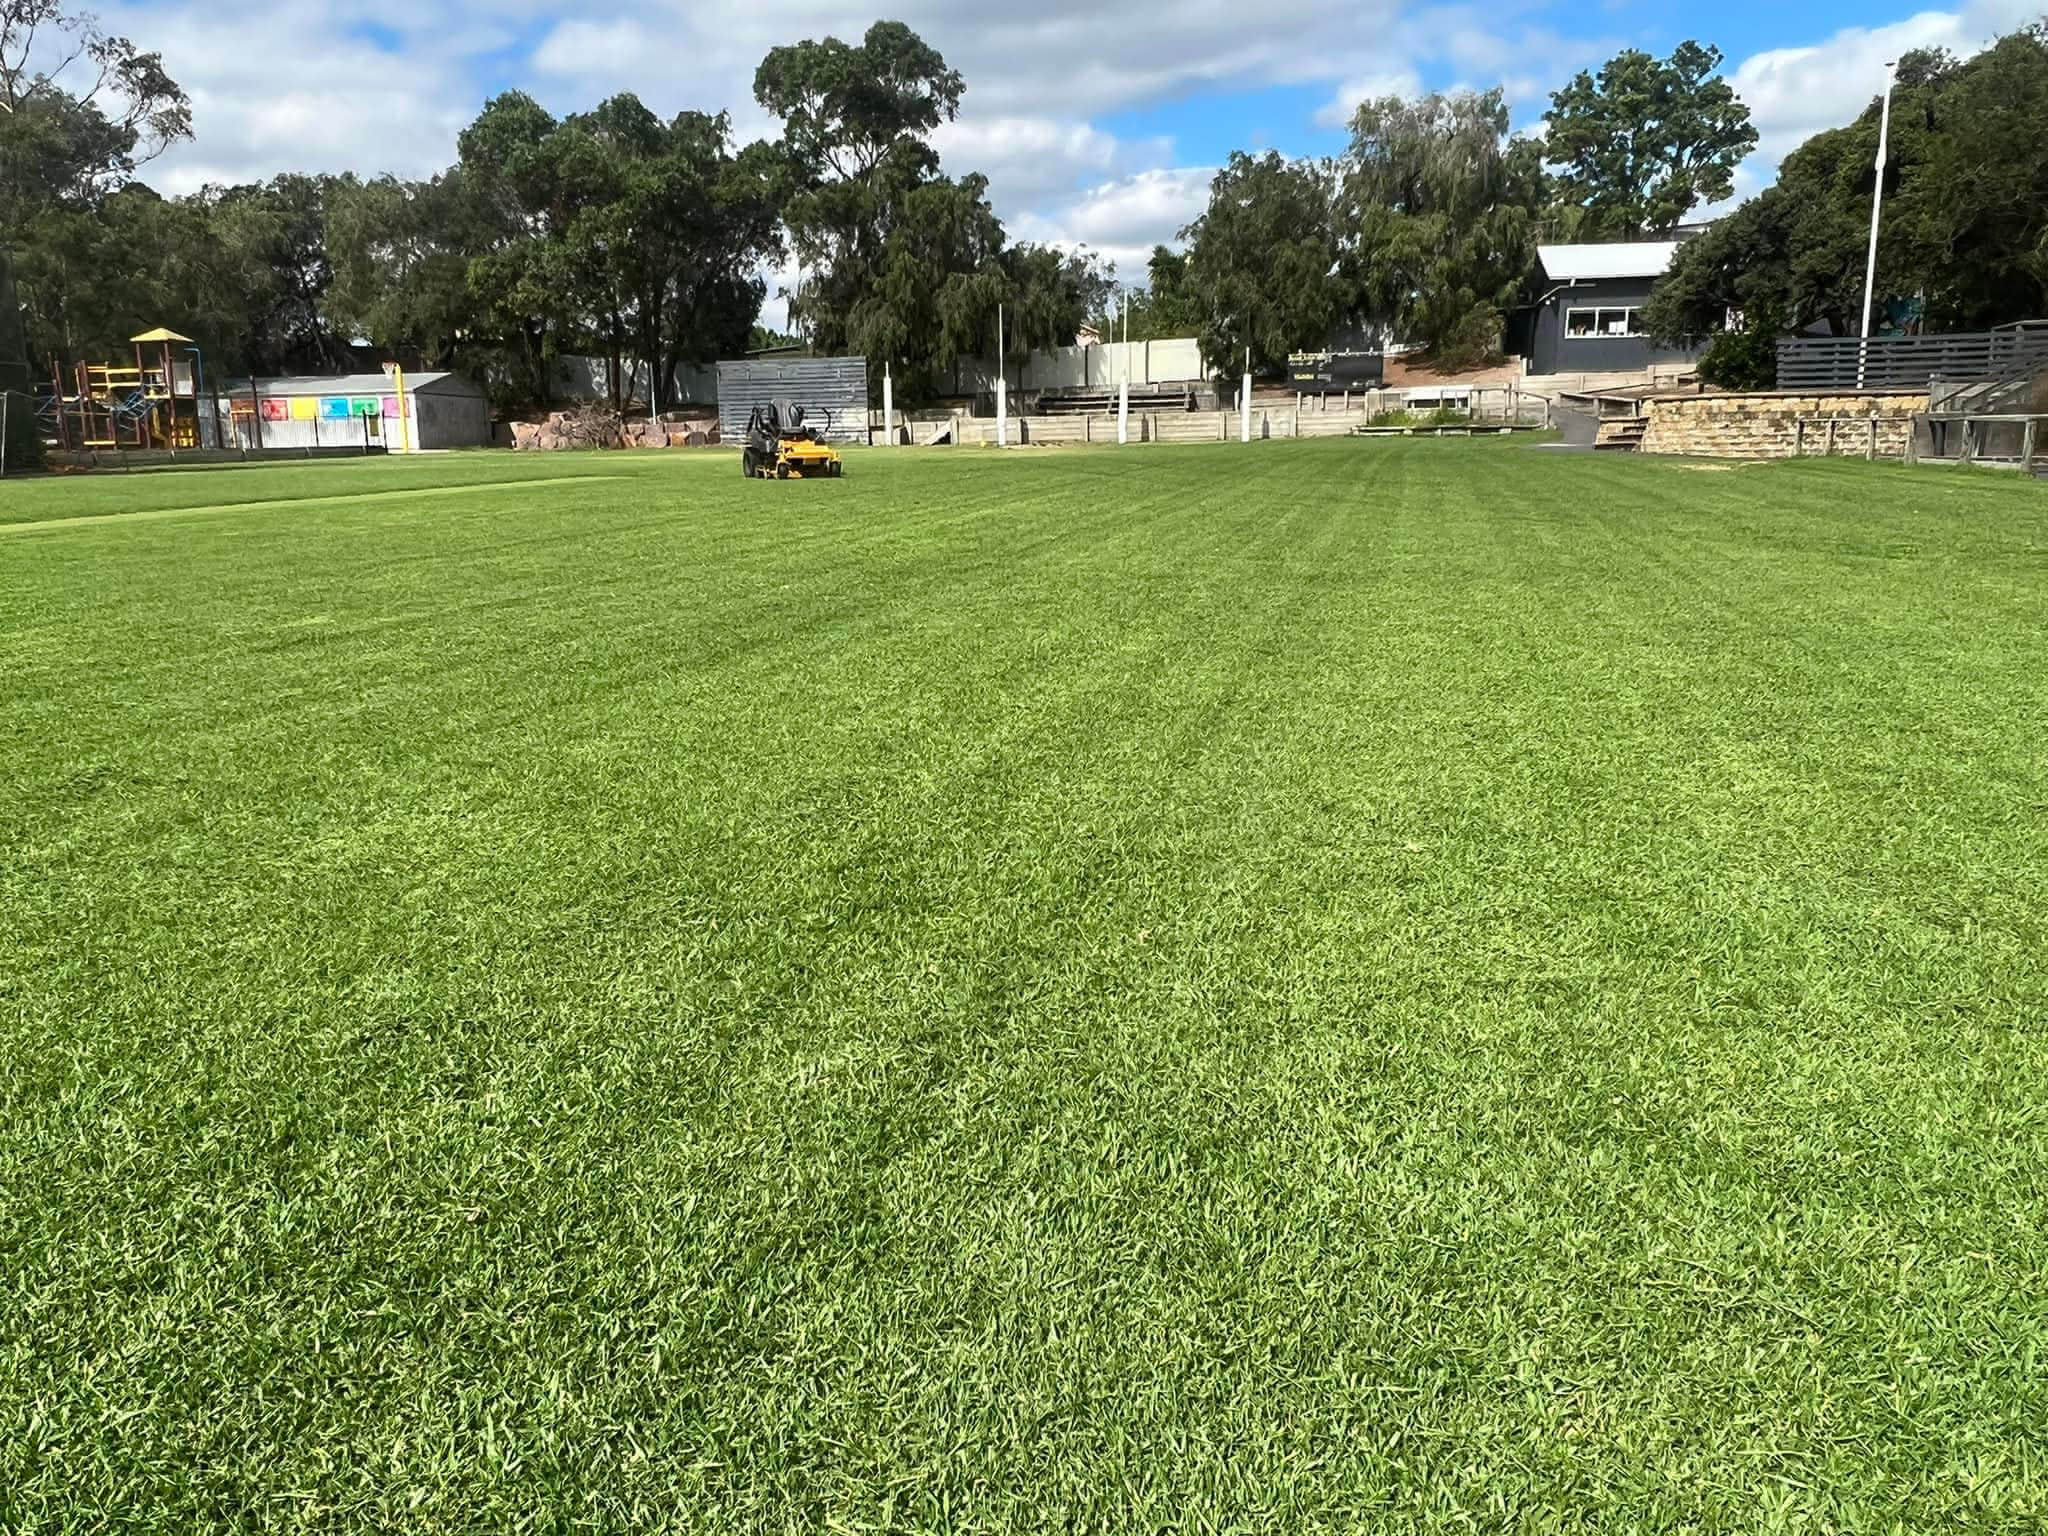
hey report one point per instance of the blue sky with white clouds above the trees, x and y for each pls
(1095, 124)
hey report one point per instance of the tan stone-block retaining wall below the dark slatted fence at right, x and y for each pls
(1768, 425)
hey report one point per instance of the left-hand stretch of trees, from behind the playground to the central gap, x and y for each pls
(611, 232)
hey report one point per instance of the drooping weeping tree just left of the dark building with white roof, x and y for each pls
(1439, 220)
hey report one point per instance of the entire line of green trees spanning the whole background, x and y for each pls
(624, 234)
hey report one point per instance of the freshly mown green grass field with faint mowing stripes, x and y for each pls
(1400, 986)
